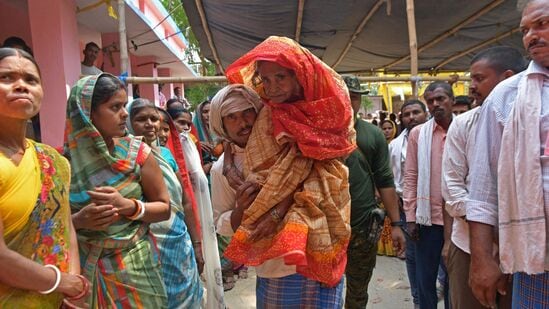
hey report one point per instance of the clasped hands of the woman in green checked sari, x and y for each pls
(95, 217)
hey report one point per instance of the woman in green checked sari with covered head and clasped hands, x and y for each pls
(116, 190)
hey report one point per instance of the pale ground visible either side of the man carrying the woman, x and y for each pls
(389, 288)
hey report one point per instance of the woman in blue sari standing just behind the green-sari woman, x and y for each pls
(177, 257)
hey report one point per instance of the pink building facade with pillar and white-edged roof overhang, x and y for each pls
(57, 30)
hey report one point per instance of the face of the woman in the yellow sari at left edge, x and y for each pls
(20, 88)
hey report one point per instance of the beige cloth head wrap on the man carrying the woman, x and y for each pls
(231, 99)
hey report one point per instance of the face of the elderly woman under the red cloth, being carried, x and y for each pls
(280, 84)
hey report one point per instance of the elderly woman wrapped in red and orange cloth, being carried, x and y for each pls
(294, 153)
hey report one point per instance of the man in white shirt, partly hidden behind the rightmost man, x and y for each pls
(488, 68)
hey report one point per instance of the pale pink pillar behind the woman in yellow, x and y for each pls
(56, 49)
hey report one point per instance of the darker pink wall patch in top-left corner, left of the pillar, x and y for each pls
(14, 21)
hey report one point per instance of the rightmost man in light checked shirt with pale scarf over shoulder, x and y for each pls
(510, 178)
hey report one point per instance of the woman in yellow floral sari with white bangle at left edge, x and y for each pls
(38, 251)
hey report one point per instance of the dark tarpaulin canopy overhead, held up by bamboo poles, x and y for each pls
(361, 35)
